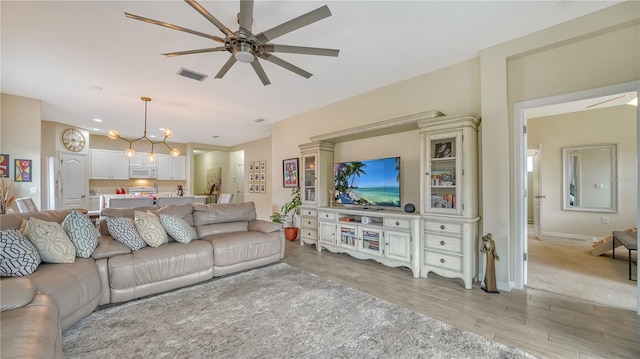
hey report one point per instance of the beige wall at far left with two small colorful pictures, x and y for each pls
(20, 139)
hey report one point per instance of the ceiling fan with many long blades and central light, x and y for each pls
(246, 47)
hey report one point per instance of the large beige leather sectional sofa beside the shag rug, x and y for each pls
(37, 308)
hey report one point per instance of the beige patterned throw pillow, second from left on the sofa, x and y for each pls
(53, 244)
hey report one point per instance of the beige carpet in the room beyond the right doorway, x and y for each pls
(567, 267)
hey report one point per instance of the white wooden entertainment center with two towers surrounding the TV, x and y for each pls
(442, 238)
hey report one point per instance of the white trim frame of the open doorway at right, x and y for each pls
(521, 204)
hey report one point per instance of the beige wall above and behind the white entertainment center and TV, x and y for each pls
(453, 89)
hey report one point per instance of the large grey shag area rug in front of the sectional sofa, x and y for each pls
(277, 311)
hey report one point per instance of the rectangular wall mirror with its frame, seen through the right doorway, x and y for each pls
(589, 178)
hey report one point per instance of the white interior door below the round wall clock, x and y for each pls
(73, 186)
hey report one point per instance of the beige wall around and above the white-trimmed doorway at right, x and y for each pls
(578, 55)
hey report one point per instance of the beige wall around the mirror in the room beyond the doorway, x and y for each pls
(603, 126)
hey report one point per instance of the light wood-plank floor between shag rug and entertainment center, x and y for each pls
(543, 324)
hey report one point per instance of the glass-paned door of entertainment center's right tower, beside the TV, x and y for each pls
(442, 175)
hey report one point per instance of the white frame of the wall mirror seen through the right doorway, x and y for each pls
(613, 176)
